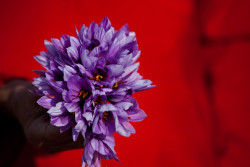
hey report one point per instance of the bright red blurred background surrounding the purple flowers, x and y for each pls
(196, 52)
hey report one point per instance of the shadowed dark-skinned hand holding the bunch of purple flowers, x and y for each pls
(34, 120)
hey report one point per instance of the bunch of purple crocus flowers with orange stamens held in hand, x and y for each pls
(88, 85)
